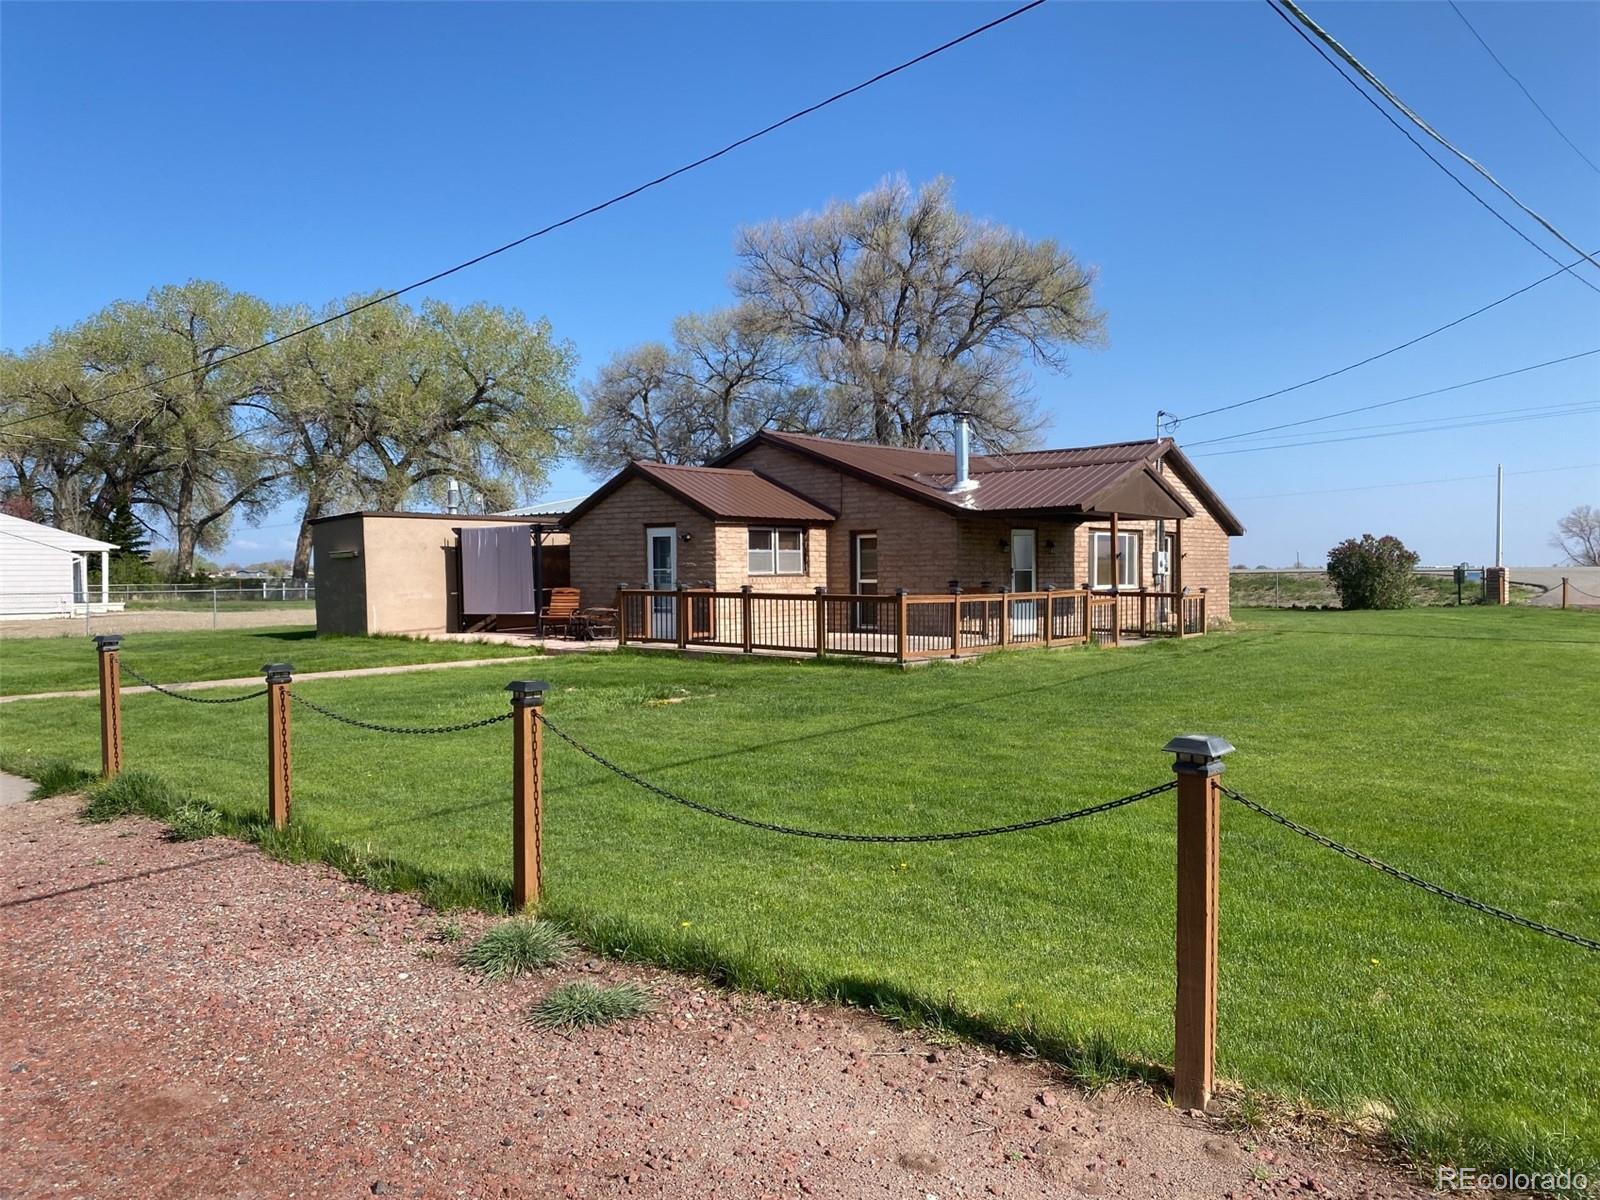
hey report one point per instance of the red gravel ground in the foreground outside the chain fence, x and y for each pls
(198, 1020)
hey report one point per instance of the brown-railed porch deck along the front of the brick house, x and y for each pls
(900, 628)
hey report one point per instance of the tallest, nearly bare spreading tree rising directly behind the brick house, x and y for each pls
(908, 311)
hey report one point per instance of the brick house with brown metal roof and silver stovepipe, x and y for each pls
(788, 513)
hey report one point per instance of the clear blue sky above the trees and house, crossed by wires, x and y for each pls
(1252, 220)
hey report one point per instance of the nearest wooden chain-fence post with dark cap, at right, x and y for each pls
(1198, 764)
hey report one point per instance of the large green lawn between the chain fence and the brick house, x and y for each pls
(1455, 743)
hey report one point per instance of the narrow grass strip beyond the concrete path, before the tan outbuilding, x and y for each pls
(68, 663)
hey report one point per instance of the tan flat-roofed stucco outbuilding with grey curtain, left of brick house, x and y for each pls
(434, 572)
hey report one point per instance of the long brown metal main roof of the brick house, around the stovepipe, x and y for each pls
(1119, 478)
